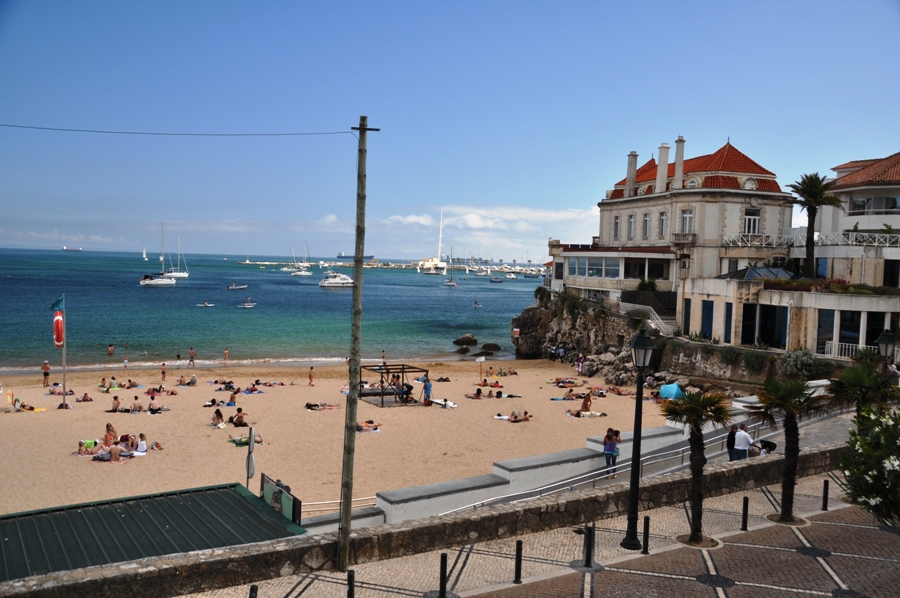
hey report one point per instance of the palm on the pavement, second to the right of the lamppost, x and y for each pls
(792, 401)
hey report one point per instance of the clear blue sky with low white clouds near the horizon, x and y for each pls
(512, 117)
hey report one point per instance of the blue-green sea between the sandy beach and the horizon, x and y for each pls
(409, 316)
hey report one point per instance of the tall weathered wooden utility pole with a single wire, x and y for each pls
(355, 326)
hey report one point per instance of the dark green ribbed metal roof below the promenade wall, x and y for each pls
(99, 533)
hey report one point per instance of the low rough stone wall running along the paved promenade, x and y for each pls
(211, 569)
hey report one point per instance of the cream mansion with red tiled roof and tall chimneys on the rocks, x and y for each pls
(692, 218)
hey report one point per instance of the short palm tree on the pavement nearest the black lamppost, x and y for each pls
(696, 410)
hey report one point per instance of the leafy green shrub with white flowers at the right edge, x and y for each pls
(872, 466)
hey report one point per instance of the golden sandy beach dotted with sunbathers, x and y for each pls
(415, 445)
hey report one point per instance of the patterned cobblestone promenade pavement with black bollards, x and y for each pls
(841, 552)
